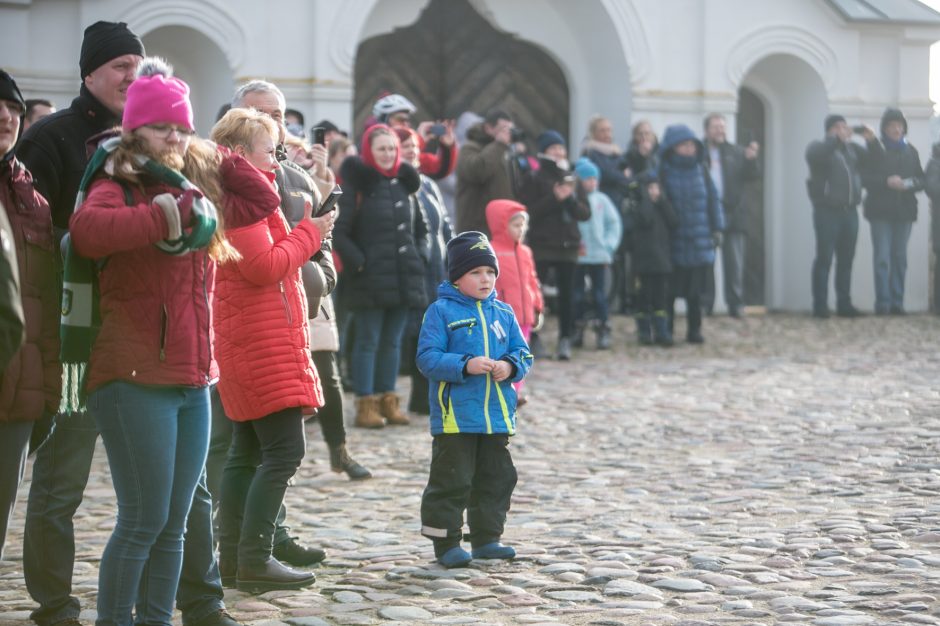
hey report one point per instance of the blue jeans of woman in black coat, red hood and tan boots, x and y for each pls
(376, 350)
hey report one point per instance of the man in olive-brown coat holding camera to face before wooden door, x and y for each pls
(485, 171)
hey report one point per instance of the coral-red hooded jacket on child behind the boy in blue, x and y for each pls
(517, 284)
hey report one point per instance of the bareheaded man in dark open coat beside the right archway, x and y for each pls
(730, 167)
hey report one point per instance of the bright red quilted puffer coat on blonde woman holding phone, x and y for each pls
(262, 341)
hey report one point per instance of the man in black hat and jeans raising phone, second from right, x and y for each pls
(835, 189)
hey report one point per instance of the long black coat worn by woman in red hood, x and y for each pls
(381, 237)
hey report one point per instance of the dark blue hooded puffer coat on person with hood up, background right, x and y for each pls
(692, 194)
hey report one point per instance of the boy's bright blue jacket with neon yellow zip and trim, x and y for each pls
(457, 328)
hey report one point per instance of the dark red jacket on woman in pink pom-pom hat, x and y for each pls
(155, 307)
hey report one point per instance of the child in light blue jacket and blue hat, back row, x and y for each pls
(600, 238)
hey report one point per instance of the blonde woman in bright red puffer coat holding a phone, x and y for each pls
(267, 379)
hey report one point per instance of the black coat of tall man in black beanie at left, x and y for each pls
(54, 151)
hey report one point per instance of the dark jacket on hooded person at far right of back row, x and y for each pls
(882, 202)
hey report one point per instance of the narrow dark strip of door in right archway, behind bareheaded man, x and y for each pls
(750, 126)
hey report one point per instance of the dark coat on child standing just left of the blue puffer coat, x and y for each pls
(653, 224)
